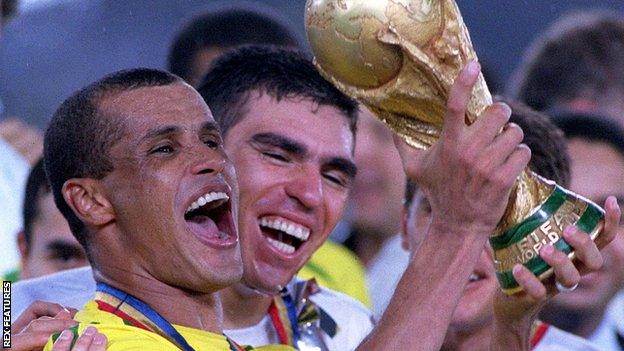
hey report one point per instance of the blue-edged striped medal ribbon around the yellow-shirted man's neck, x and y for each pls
(137, 313)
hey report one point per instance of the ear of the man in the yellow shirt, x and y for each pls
(87, 199)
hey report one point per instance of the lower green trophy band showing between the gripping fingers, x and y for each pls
(588, 221)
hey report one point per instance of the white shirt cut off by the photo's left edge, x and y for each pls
(14, 171)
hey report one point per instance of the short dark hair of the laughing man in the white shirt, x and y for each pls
(279, 72)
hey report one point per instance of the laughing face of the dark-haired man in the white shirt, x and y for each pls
(295, 168)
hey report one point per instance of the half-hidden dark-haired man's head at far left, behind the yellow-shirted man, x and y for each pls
(46, 244)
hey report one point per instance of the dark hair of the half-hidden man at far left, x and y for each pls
(36, 187)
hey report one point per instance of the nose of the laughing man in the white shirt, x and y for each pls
(306, 188)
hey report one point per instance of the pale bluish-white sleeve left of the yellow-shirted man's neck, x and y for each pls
(71, 288)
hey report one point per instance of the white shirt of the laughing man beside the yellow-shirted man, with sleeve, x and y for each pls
(73, 288)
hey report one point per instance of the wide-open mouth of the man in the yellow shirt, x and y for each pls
(210, 218)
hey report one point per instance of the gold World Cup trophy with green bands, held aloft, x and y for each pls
(400, 58)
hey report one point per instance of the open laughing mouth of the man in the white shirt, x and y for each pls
(284, 235)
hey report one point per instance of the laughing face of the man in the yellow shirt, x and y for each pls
(173, 190)
